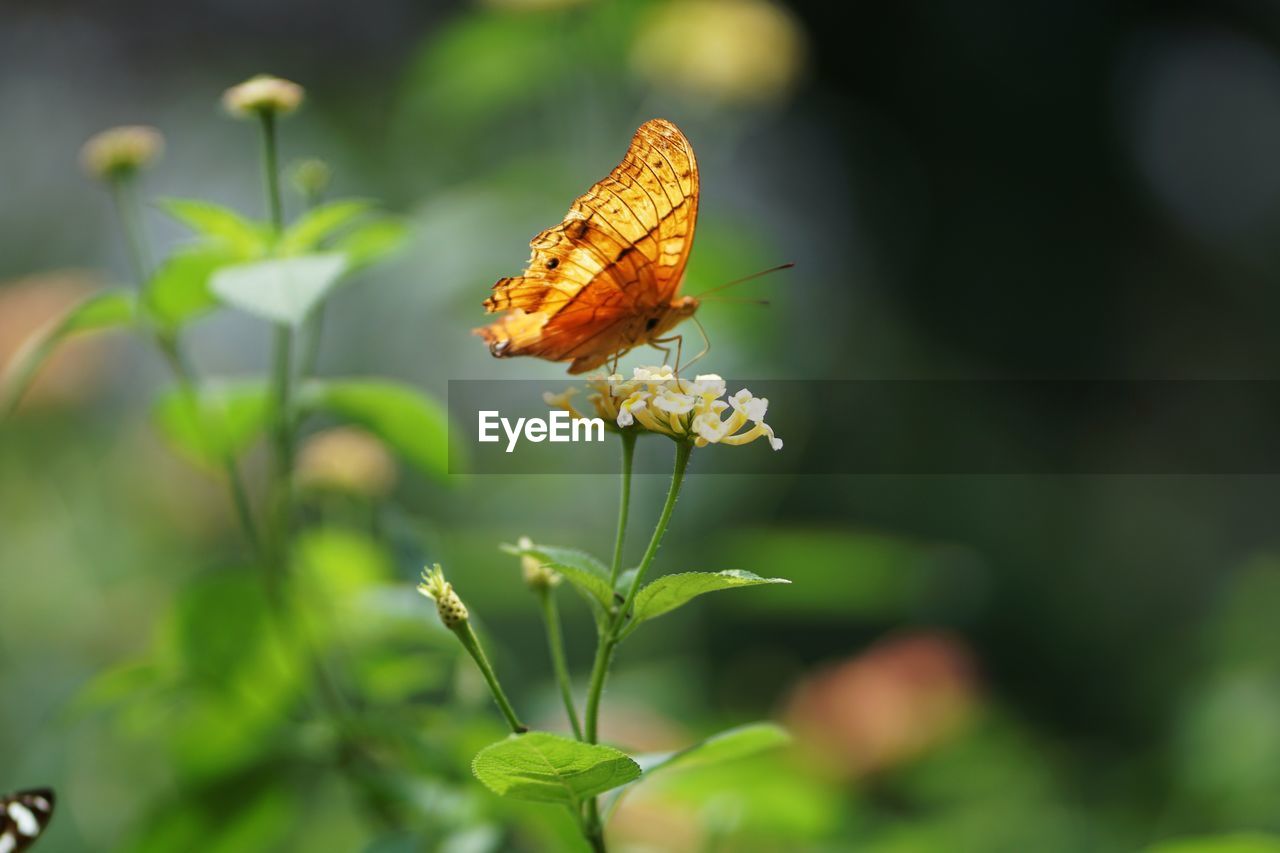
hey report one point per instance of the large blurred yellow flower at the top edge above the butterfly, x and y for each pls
(729, 52)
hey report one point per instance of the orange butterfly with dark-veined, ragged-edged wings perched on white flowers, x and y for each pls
(607, 280)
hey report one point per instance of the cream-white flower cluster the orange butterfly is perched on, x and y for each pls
(659, 402)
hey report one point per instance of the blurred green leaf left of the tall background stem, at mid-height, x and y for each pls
(216, 425)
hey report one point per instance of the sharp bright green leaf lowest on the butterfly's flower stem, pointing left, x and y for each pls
(550, 769)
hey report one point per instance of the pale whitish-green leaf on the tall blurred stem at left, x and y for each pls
(280, 290)
